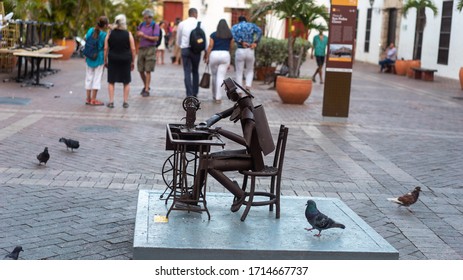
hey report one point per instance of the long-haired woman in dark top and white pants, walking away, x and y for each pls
(218, 58)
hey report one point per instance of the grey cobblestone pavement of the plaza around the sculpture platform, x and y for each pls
(400, 133)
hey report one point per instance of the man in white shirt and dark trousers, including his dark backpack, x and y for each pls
(191, 39)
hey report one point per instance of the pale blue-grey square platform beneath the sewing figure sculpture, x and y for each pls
(192, 236)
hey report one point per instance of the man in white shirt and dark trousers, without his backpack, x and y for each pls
(190, 58)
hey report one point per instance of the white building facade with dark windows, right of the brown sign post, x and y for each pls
(381, 22)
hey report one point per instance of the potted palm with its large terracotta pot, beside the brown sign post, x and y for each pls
(291, 89)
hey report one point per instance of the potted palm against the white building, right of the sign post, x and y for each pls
(420, 6)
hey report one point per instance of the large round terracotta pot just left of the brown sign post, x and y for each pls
(293, 90)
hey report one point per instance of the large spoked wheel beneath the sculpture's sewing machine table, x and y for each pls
(168, 171)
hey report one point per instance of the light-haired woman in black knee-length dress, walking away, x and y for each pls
(119, 58)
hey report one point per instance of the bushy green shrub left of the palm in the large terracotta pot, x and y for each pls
(269, 53)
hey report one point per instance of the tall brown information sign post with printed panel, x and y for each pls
(341, 48)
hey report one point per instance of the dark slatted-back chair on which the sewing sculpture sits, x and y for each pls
(274, 172)
